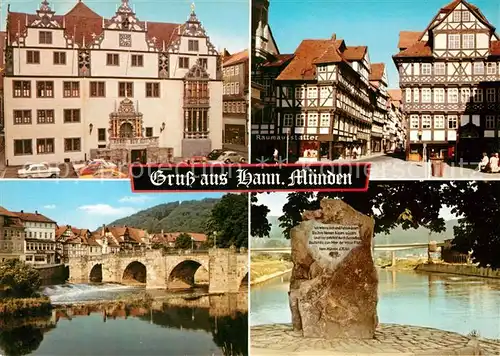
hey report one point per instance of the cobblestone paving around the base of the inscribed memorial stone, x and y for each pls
(280, 339)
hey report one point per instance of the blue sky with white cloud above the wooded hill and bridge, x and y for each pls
(83, 204)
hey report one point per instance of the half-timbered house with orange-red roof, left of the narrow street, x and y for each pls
(323, 107)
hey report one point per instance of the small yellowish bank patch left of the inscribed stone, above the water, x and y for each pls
(266, 267)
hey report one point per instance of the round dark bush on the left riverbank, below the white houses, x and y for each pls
(19, 280)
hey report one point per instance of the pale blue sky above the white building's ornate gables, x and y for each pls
(226, 21)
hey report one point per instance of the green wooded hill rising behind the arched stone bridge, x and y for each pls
(186, 216)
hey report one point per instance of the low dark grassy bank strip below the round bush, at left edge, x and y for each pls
(24, 307)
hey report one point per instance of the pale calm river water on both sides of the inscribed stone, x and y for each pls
(447, 302)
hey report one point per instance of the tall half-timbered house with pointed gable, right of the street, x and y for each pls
(449, 75)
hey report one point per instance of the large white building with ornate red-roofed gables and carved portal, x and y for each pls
(79, 86)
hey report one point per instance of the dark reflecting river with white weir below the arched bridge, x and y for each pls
(186, 325)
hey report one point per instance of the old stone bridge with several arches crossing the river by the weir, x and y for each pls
(227, 269)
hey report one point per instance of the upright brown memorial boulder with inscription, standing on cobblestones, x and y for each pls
(333, 288)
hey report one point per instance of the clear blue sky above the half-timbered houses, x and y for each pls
(372, 23)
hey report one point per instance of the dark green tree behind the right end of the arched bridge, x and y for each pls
(229, 220)
